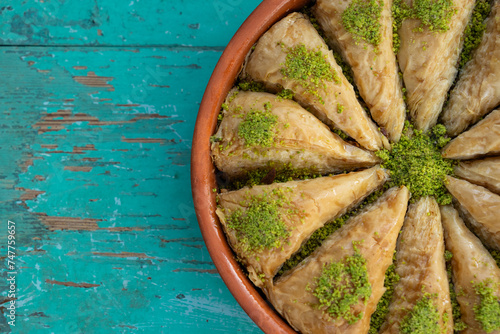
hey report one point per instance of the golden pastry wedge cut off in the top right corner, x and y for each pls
(478, 89)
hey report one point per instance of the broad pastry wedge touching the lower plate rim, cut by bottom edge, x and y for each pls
(348, 269)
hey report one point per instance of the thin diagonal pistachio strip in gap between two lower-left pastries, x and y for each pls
(324, 232)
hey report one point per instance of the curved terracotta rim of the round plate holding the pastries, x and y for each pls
(203, 171)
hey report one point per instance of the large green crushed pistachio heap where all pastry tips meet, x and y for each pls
(416, 162)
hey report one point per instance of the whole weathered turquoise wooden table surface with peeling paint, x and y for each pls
(97, 108)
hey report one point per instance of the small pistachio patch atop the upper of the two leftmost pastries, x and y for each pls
(258, 127)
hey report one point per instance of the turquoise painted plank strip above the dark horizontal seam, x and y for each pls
(133, 22)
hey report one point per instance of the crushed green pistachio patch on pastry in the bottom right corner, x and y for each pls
(487, 312)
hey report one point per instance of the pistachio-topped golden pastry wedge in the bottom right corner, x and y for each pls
(476, 277)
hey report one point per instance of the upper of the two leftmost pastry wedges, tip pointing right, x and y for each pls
(258, 129)
